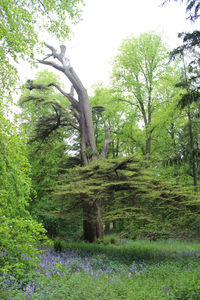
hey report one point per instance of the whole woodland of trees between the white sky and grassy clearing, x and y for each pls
(125, 159)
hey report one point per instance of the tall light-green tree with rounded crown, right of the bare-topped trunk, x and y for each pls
(137, 69)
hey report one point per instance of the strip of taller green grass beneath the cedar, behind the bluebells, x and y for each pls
(142, 250)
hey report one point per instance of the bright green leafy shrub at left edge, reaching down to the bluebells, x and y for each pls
(19, 233)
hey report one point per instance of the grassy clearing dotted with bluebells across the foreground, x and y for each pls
(126, 270)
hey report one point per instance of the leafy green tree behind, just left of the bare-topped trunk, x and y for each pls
(44, 118)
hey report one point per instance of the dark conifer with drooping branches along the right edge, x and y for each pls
(190, 80)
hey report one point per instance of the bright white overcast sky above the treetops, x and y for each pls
(107, 22)
